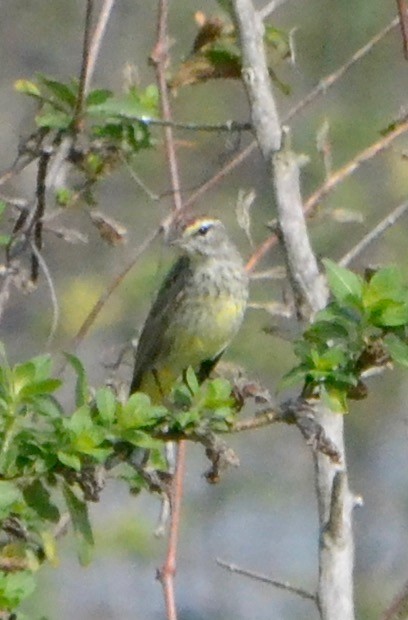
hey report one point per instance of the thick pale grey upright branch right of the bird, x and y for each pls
(335, 589)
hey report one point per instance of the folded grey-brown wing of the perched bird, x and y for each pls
(154, 337)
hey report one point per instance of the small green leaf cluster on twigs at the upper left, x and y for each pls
(116, 125)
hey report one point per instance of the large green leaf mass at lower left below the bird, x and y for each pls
(53, 463)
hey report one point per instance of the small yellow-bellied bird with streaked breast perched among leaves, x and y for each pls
(197, 311)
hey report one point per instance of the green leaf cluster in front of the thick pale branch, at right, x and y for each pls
(363, 327)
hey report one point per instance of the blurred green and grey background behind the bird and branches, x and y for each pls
(263, 515)
